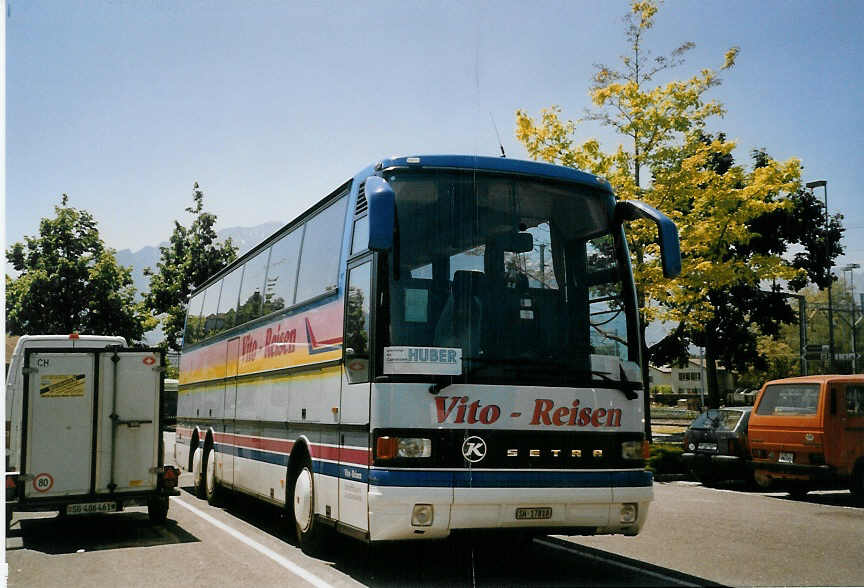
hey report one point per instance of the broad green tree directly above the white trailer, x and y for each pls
(68, 281)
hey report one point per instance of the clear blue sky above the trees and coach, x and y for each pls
(270, 105)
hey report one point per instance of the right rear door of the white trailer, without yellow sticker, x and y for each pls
(128, 445)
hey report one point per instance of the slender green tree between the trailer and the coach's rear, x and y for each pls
(192, 255)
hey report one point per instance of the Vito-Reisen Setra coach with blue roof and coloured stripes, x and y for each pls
(443, 343)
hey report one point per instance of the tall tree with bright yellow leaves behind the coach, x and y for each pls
(664, 130)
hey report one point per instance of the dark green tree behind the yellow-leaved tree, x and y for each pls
(747, 312)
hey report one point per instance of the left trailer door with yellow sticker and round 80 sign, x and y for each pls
(59, 424)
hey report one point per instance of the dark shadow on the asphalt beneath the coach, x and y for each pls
(466, 560)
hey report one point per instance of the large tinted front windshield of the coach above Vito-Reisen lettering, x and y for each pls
(521, 276)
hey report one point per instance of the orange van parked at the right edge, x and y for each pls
(807, 433)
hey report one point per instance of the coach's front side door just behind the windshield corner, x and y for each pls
(354, 452)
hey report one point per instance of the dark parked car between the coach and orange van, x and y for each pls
(716, 447)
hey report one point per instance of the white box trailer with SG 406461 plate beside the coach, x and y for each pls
(85, 427)
